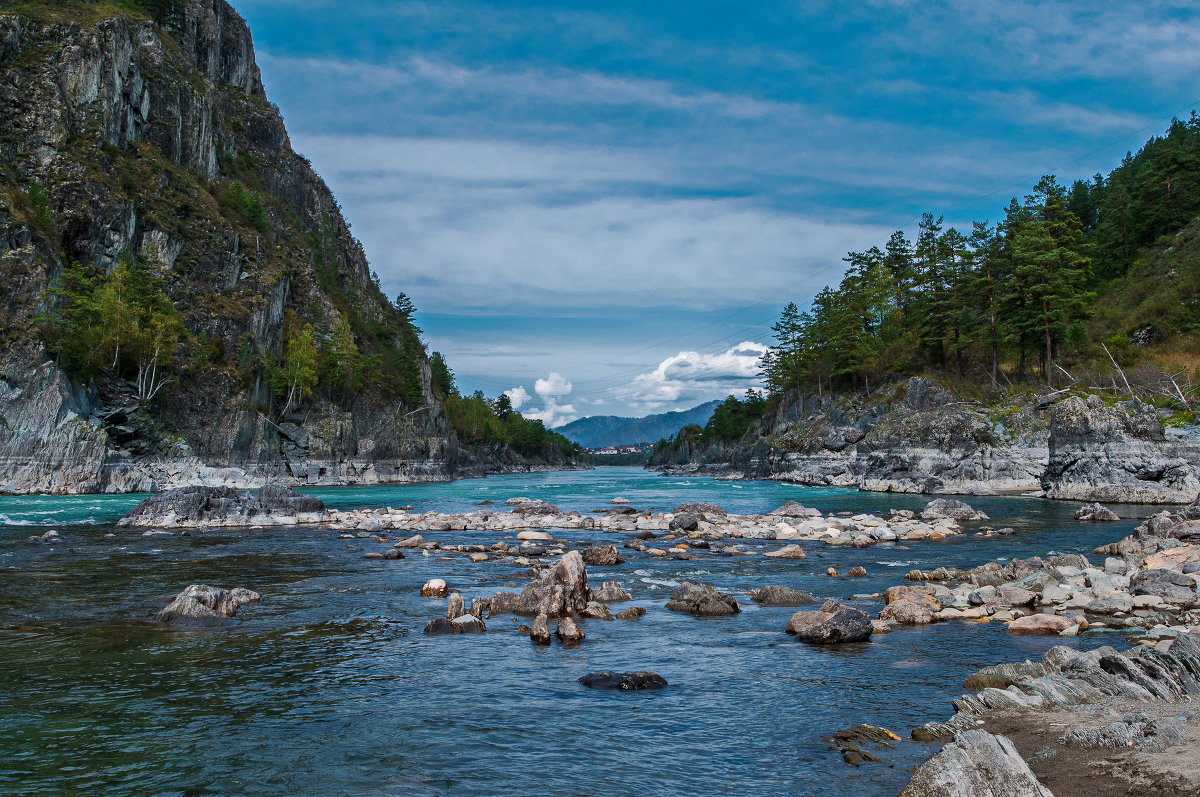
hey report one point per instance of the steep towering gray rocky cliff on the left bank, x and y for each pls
(142, 131)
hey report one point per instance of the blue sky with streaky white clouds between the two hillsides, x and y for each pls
(604, 206)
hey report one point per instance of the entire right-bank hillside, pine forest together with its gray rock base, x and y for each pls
(1082, 296)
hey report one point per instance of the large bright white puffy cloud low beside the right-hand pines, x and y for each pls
(693, 377)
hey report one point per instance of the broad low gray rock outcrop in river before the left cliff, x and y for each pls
(195, 507)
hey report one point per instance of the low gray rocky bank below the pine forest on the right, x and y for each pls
(917, 438)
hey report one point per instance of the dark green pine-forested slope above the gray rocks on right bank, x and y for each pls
(1067, 278)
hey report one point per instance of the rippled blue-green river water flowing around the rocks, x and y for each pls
(329, 687)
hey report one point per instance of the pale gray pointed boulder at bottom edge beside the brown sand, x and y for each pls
(976, 764)
